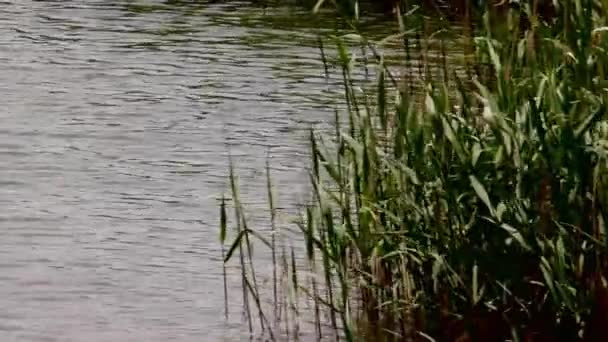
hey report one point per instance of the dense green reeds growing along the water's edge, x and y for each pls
(467, 207)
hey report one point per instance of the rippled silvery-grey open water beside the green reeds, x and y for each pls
(115, 122)
